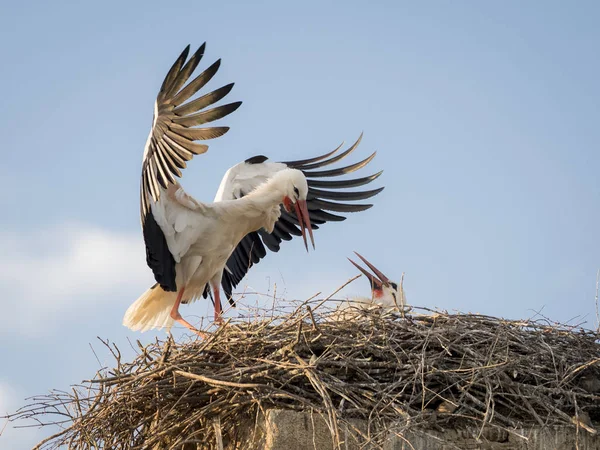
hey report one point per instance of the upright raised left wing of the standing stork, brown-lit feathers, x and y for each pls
(171, 144)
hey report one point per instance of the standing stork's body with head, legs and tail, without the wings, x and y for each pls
(201, 237)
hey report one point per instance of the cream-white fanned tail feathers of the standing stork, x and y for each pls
(151, 310)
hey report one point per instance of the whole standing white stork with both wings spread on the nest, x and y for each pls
(193, 246)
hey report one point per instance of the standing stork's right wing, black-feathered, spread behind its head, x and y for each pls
(328, 201)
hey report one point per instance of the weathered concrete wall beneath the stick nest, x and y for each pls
(290, 430)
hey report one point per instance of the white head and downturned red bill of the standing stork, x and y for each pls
(294, 187)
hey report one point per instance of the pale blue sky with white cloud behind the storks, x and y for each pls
(484, 117)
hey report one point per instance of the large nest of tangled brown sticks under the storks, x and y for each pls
(427, 369)
